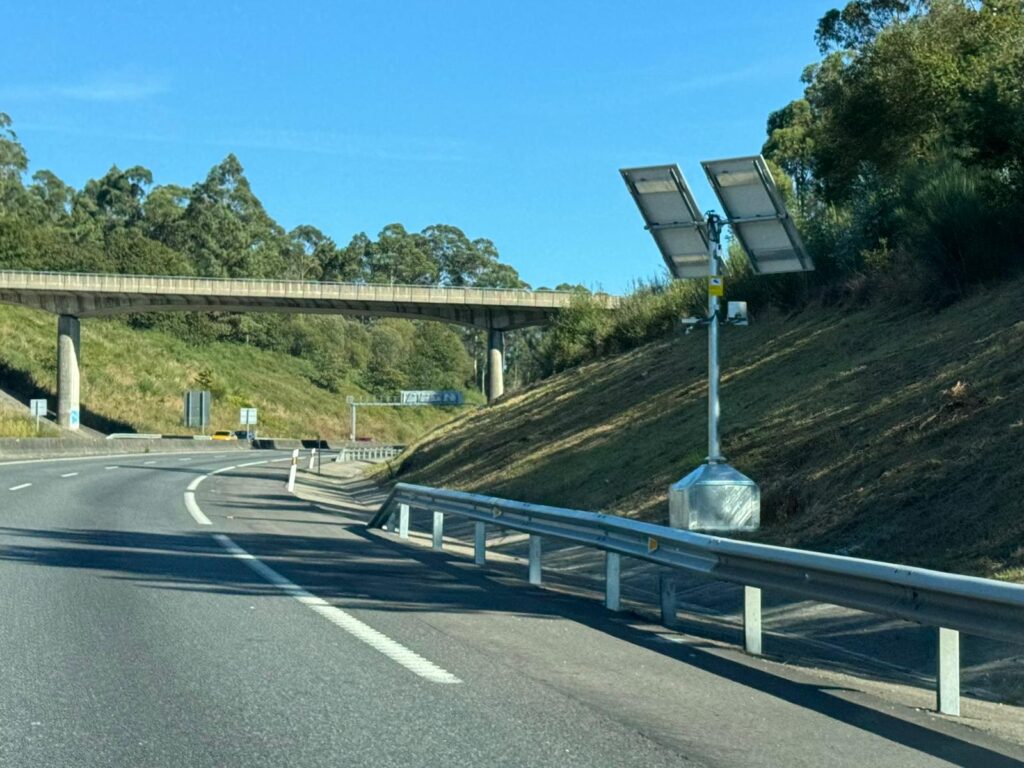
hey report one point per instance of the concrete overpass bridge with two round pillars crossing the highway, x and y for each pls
(73, 296)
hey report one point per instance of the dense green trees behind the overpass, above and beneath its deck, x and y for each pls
(123, 223)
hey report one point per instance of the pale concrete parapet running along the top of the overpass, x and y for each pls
(262, 288)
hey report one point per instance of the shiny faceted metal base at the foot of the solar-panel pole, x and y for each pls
(716, 498)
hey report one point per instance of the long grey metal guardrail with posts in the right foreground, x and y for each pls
(953, 604)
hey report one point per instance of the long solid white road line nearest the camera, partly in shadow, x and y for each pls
(376, 641)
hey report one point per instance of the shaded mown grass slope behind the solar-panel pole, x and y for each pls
(873, 433)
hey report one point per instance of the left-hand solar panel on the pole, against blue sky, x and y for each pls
(672, 218)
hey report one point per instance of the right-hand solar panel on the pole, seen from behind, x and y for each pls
(757, 216)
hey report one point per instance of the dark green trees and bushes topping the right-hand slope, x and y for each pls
(904, 165)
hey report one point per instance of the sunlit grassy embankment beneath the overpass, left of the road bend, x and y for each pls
(136, 380)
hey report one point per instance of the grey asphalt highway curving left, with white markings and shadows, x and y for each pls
(155, 615)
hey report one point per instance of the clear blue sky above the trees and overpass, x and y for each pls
(507, 119)
